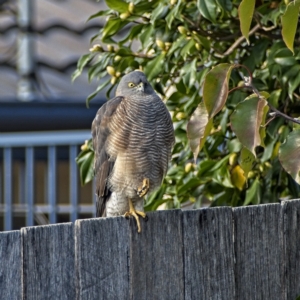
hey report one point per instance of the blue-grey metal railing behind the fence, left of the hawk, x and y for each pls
(35, 213)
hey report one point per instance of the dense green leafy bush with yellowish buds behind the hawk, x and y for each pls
(193, 53)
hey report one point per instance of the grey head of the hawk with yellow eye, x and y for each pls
(133, 84)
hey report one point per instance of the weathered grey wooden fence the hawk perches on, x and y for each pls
(213, 253)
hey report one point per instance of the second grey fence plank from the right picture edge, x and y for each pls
(258, 252)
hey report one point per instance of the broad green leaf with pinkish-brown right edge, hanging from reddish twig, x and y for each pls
(246, 121)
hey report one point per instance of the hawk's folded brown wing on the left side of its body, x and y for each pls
(102, 165)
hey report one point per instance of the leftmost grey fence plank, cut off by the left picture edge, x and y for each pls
(10, 265)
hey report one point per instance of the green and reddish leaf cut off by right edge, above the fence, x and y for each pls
(289, 155)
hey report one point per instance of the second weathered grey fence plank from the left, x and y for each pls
(48, 260)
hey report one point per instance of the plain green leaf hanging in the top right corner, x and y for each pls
(289, 22)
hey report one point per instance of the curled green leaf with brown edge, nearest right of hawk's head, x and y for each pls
(215, 88)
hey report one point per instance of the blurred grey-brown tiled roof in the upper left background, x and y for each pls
(54, 46)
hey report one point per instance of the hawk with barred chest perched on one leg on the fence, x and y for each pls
(133, 137)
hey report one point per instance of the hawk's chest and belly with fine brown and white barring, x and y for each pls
(140, 144)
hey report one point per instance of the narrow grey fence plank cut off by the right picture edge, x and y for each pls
(291, 230)
